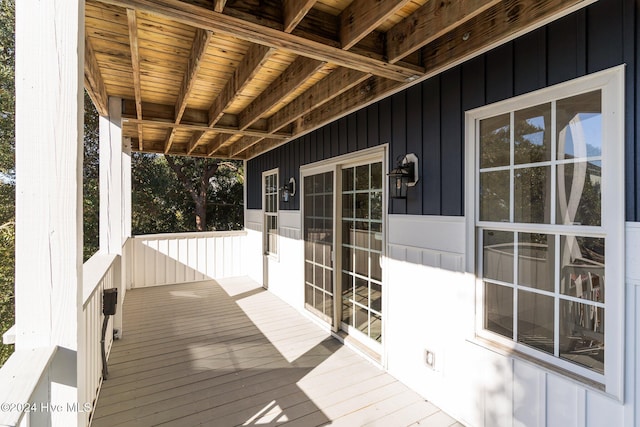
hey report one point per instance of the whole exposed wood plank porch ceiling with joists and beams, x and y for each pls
(236, 78)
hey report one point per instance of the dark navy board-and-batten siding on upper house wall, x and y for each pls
(428, 118)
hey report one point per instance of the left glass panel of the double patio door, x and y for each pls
(318, 246)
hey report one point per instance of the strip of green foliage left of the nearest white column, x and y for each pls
(7, 172)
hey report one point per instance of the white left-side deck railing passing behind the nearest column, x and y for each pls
(26, 378)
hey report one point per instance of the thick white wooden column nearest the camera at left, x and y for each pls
(49, 138)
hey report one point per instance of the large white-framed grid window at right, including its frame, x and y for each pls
(545, 209)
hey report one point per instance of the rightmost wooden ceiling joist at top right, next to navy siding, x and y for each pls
(505, 21)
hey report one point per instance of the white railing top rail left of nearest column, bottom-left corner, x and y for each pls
(19, 378)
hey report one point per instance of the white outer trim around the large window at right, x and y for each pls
(611, 82)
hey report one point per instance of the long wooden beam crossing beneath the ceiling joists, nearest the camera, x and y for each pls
(200, 17)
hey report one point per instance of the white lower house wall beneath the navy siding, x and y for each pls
(430, 305)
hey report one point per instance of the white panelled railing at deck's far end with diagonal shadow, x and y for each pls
(162, 259)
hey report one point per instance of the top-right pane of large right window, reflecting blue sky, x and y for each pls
(579, 126)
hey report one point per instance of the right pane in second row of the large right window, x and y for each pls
(580, 193)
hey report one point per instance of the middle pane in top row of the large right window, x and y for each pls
(532, 134)
